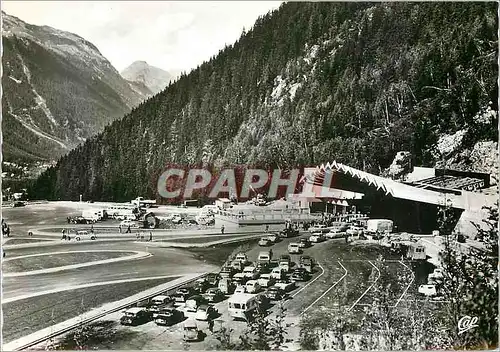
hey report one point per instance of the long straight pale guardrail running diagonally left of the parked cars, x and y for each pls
(99, 315)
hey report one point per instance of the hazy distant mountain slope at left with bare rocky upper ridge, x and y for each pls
(57, 91)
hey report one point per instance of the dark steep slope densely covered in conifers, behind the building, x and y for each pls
(310, 83)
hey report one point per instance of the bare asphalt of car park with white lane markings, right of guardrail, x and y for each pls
(342, 270)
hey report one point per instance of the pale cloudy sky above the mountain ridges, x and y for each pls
(172, 35)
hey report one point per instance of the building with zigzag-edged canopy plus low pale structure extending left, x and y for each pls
(345, 192)
